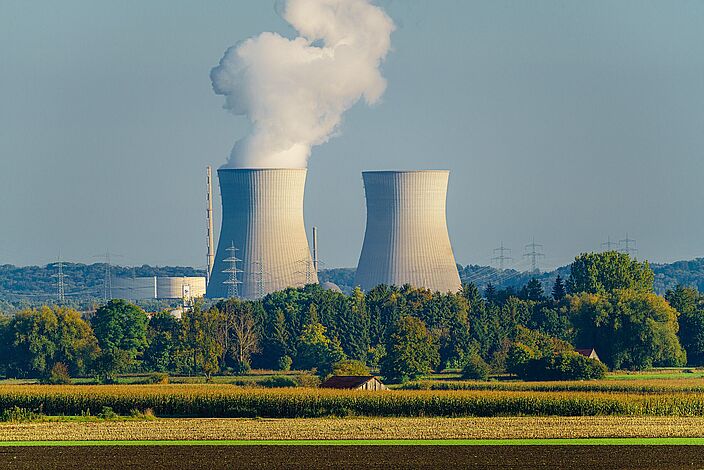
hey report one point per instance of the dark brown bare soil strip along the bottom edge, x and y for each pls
(273, 457)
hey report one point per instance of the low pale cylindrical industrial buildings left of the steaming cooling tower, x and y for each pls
(153, 287)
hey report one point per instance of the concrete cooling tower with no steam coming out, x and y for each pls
(406, 240)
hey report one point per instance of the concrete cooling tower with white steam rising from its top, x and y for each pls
(263, 246)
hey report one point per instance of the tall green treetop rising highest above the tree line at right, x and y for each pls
(597, 273)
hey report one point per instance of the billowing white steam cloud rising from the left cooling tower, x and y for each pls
(294, 91)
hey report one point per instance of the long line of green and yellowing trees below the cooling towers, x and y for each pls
(606, 303)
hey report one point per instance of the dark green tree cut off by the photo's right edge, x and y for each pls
(690, 305)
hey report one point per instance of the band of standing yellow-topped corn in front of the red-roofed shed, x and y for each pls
(230, 402)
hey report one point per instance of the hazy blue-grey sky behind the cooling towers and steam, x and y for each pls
(567, 121)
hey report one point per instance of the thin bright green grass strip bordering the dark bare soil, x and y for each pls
(379, 442)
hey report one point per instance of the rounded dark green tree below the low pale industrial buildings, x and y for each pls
(121, 330)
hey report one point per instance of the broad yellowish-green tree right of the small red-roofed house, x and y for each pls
(629, 329)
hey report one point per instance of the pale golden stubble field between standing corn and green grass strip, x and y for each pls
(357, 428)
